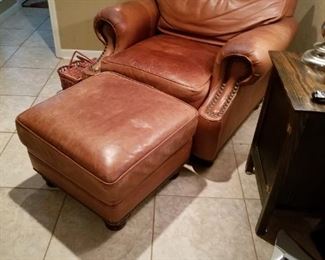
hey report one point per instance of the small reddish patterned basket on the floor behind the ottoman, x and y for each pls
(79, 68)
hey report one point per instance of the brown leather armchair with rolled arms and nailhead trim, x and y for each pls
(211, 54)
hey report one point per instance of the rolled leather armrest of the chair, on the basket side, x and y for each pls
(123, 25)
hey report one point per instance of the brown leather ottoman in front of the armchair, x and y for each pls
(108, 141)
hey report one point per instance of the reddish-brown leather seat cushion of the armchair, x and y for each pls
(177, 66)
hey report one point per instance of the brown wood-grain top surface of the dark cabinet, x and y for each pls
(297, 80)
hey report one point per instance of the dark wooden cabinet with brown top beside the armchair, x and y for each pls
(288, 150)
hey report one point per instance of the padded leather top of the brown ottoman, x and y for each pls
(107, 123)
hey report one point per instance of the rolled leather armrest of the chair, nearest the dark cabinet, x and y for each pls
(253, 48)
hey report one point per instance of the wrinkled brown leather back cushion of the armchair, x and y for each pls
(216, 21)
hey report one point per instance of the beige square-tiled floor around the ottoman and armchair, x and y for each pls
(206, 213)
